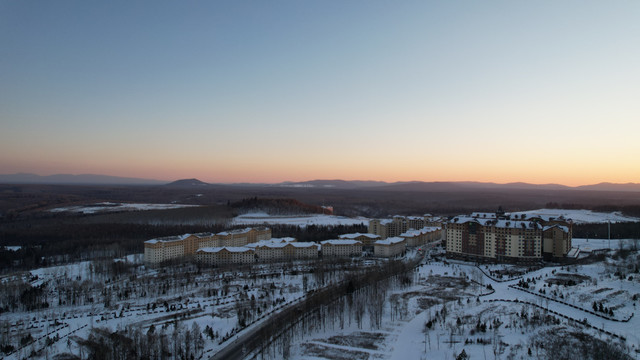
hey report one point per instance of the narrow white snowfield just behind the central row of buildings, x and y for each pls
(300, 220)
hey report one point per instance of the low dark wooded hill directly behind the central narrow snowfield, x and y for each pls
(275, 206)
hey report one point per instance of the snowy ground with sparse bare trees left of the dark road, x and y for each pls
(146, 297)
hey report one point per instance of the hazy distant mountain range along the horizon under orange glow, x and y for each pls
(435, 186)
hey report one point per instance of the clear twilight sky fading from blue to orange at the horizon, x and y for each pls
(270, 91)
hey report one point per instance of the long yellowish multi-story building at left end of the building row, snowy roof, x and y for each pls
(173, 247)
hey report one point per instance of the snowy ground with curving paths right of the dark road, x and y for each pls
(518, 323)
